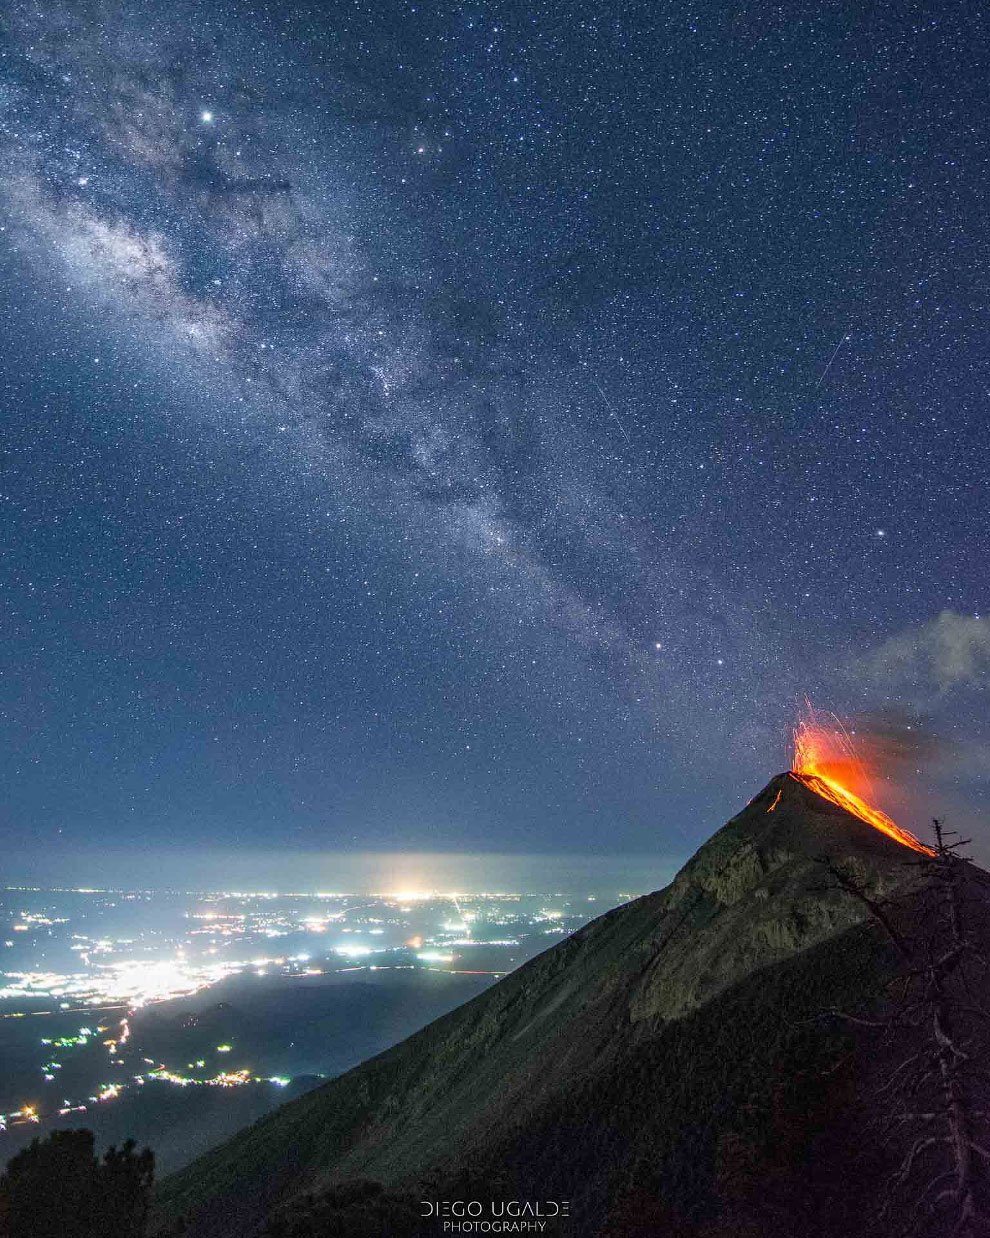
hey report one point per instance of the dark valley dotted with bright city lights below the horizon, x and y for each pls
(108, 997)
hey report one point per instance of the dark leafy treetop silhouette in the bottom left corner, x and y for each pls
(59, 1189)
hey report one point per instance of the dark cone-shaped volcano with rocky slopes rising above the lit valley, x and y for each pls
(661, 1070)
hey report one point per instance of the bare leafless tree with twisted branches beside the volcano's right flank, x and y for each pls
(936, 1102)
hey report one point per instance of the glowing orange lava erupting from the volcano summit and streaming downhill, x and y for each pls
(826, 761)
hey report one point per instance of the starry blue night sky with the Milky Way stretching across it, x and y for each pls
(476, 428)
